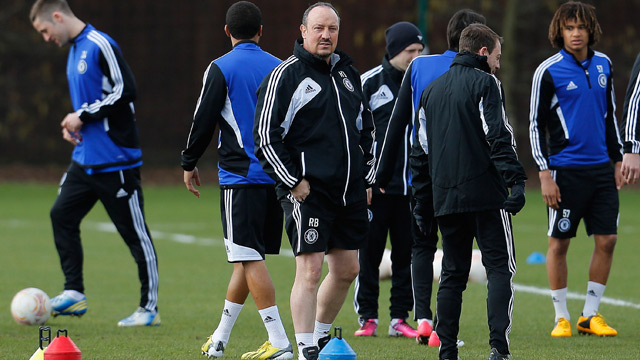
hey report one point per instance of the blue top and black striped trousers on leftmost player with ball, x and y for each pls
(105, 164)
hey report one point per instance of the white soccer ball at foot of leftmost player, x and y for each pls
(31, 306)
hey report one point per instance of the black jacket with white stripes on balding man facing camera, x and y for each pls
(312, 122)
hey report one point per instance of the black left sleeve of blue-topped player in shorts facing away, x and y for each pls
(206, 117)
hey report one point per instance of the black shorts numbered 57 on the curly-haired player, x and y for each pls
(588, 194)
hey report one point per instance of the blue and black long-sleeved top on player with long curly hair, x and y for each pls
(572, 118)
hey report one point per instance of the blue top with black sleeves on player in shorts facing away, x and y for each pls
(228, 100)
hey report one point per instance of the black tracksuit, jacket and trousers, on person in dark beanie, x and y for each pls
(390, 213)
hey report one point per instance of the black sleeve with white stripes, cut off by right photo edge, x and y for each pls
(630, 114)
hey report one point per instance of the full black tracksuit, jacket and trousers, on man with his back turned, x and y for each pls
(471, 161)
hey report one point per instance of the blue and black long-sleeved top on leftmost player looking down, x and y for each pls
(102, 90)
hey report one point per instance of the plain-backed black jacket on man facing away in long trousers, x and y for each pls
(469, 142)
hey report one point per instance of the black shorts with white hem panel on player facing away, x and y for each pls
(251, 222)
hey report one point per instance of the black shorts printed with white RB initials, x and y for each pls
(319, 225)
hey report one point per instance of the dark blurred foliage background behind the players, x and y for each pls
(168, 45)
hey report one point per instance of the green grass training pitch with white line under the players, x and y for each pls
(194, 274)
